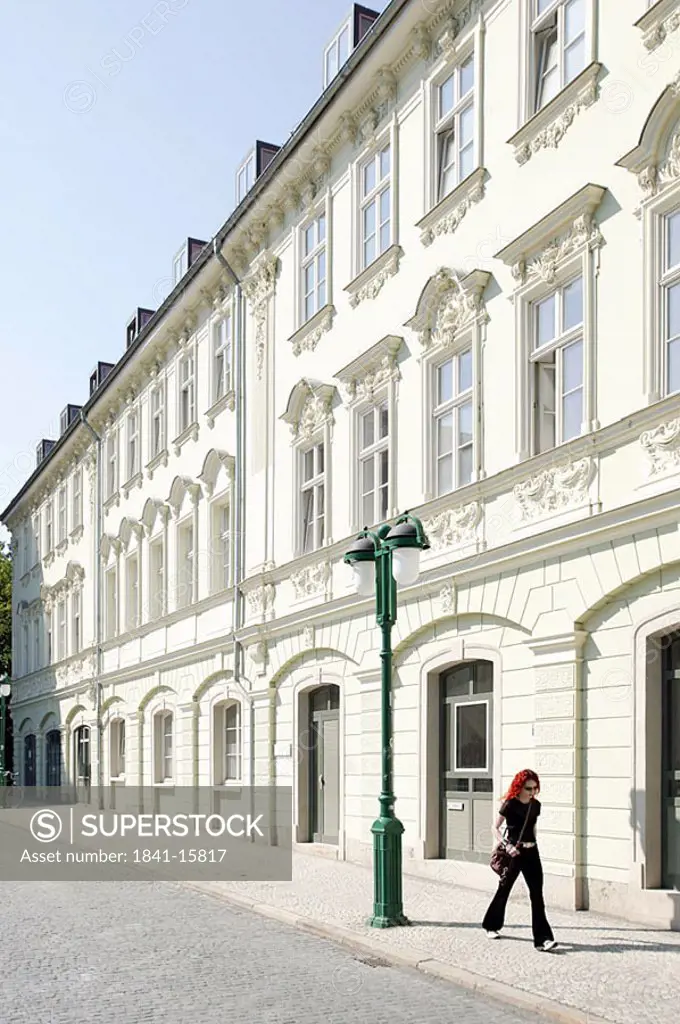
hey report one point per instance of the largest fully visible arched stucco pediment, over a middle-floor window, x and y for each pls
(449, 305)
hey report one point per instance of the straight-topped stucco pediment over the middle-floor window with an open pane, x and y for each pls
(538, 254)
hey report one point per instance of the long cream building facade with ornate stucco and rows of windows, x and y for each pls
(455, 290)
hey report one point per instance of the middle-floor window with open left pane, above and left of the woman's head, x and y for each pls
(558, 359)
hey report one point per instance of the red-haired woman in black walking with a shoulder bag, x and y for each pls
(520, 812)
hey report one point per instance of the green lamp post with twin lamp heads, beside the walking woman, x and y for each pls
(381, 561)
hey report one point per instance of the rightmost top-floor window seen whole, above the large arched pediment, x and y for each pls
(455, 129)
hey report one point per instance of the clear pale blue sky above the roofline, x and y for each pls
(122, 125)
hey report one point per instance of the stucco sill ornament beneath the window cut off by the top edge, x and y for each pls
(546, 130)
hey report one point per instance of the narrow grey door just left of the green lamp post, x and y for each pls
(325, 764)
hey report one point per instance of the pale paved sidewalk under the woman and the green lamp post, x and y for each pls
(606, 970)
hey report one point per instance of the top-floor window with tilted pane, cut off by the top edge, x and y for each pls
(559, 42)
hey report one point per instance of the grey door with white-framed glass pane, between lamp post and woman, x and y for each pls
(466, 786)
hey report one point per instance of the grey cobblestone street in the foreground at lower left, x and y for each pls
(133, 953)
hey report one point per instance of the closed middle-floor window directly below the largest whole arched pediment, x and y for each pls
(453, 422)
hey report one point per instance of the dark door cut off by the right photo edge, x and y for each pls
(671, 767)
